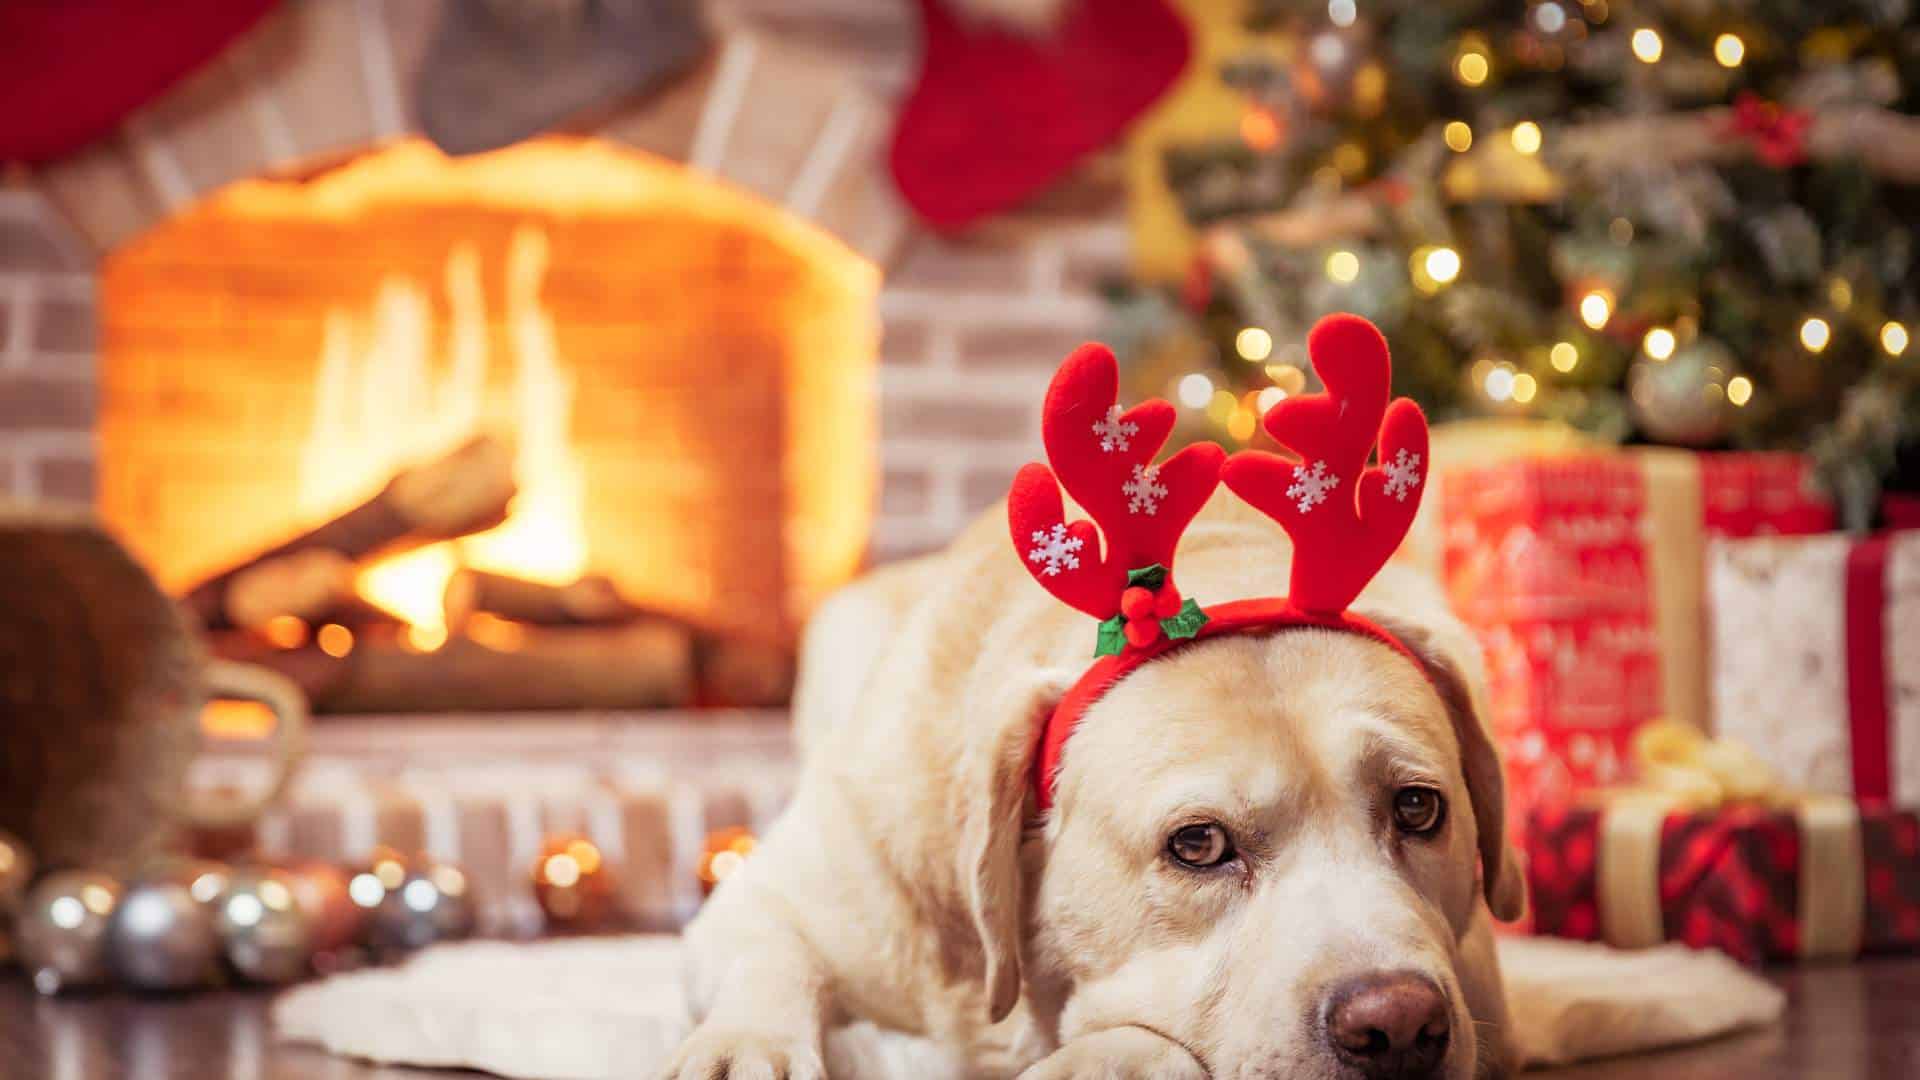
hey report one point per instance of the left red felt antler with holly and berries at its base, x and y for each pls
(1105, 458)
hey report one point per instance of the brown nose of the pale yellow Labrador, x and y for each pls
(1391, 1025)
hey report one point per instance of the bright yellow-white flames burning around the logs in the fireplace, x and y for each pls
(387, 399)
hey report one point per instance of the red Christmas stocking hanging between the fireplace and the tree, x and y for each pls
(999, 116)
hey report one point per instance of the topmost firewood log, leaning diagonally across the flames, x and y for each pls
(464, 493)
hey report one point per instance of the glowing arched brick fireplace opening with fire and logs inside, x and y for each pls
(564, 426)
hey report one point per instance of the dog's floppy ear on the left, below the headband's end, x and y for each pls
(996, 798)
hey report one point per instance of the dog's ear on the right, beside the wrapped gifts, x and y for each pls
(1452, 662)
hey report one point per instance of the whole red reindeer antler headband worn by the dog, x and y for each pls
(1345, 516)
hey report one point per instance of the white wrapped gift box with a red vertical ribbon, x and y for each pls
(1817, 658)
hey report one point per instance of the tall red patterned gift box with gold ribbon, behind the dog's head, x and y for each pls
(1583, 577)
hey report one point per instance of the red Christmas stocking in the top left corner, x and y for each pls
(70, 72)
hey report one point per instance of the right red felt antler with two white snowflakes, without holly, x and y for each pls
(1345, 518)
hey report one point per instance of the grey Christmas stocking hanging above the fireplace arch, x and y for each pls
(506, 70)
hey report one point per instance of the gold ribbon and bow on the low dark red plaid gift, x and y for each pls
(1683, 772)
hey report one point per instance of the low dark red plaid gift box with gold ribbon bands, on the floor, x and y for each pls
(1823, 879)
